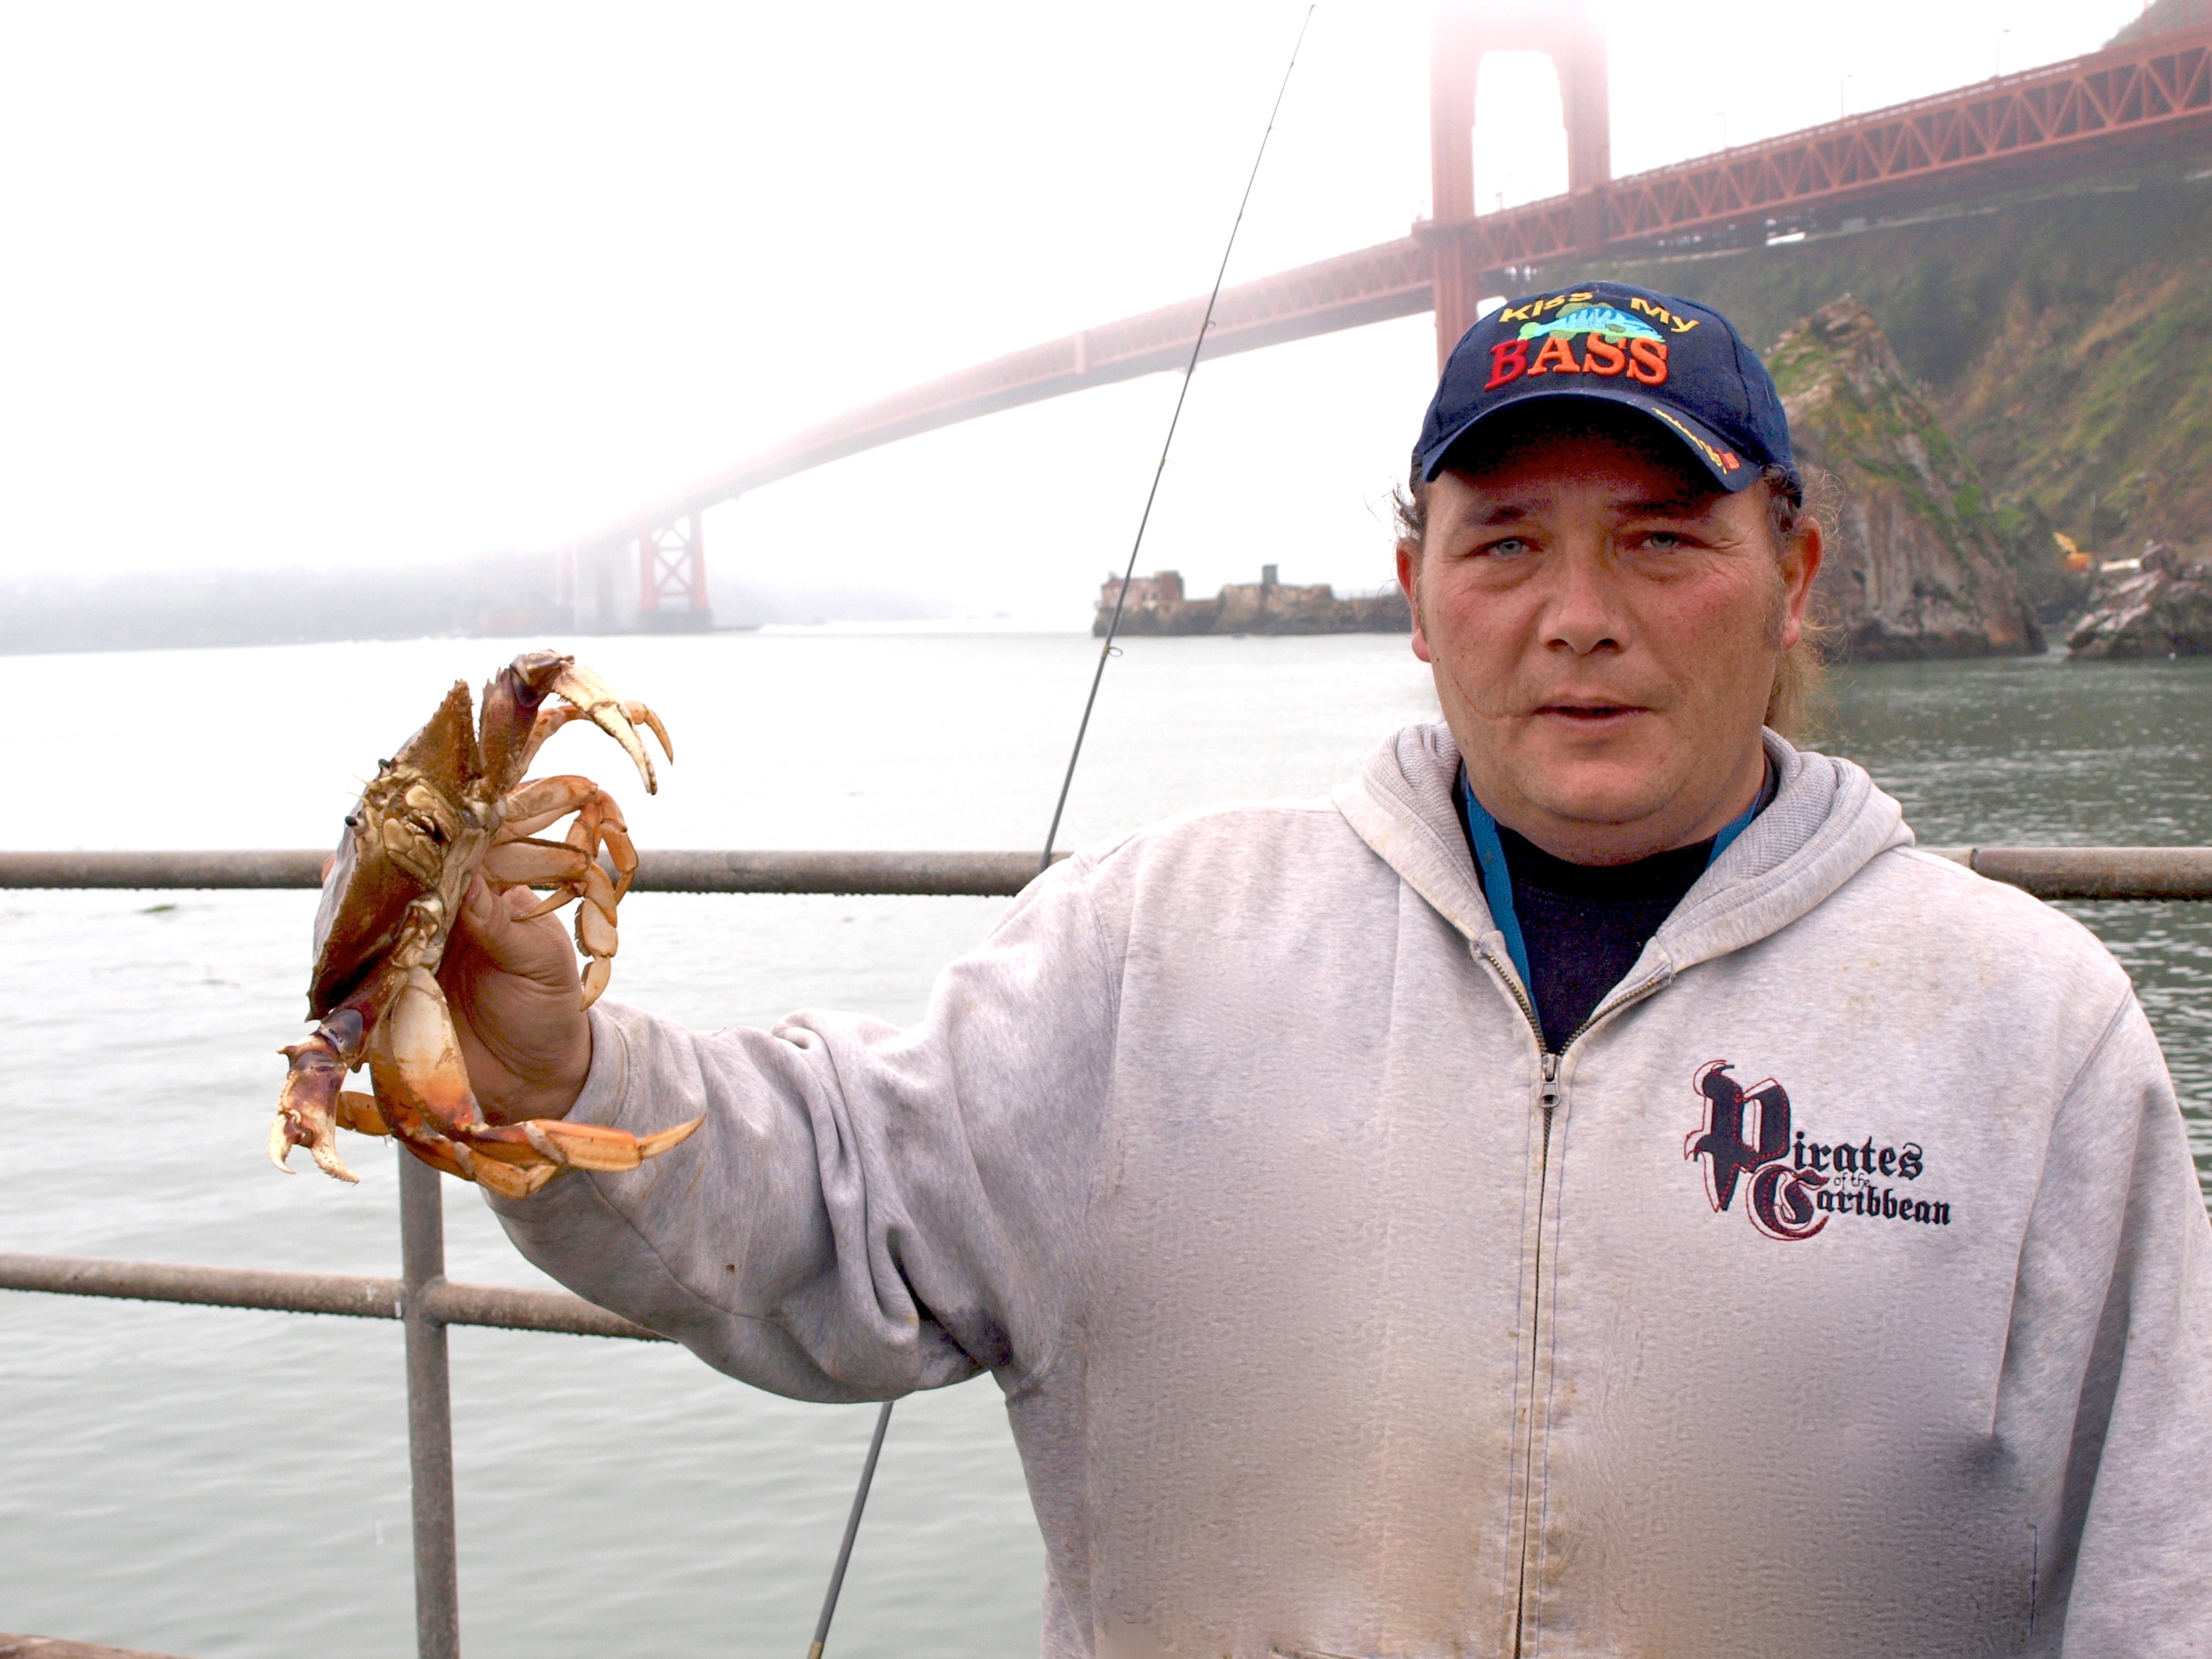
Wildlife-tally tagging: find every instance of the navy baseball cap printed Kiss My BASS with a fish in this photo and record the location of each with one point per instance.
(1678, 362)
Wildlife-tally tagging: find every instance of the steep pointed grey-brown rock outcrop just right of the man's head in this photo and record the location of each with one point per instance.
(1917, 565)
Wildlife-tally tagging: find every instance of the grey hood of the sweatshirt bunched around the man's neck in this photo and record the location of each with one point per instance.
(1824, 826)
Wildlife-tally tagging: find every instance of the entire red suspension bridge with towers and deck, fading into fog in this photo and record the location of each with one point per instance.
(2138, 103)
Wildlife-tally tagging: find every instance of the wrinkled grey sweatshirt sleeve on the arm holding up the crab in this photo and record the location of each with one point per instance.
(866, 1211)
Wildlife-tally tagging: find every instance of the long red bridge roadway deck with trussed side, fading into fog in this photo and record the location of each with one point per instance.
(2133, 105)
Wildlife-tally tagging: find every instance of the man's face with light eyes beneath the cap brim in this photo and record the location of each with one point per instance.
(1605, 625)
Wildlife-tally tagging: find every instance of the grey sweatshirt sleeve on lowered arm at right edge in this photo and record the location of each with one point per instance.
(2120, 1273)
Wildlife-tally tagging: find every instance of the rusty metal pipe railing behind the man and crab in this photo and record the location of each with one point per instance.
(426, 1302)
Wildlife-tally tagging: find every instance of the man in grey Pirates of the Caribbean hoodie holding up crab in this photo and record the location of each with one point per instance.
(1589, 1189)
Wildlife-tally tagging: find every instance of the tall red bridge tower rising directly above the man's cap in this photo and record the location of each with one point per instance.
(1465, 32)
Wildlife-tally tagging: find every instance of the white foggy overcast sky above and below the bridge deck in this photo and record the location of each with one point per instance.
(401, 282)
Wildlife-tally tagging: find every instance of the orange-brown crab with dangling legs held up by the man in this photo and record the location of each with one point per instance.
(450, 806)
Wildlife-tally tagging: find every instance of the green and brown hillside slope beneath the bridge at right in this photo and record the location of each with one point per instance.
(2067, 344)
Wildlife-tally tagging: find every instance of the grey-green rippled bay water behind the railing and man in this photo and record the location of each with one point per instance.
(233, 1485)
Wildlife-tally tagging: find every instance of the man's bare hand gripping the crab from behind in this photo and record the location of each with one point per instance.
(517, 1005)
